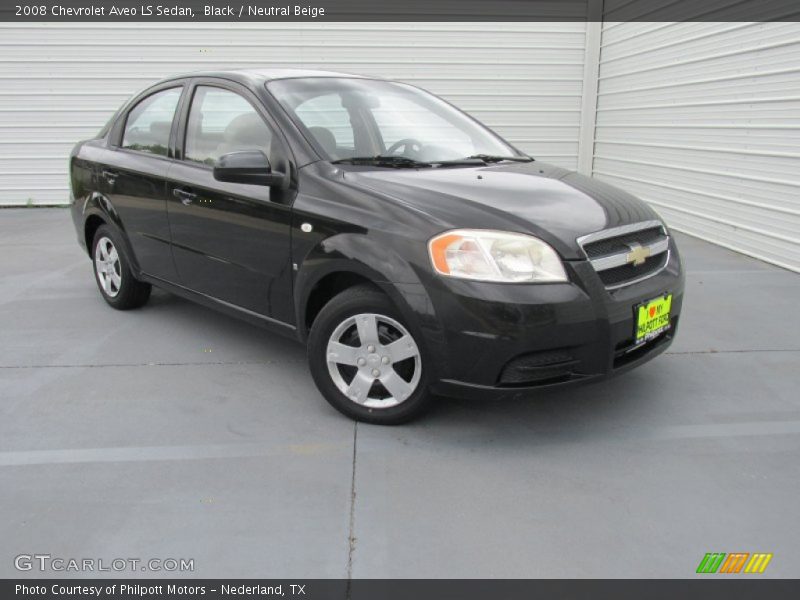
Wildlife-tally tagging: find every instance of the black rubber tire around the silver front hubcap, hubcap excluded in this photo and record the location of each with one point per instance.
(347, 304)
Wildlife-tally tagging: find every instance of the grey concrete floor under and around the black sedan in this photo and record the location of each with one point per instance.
(174, 431)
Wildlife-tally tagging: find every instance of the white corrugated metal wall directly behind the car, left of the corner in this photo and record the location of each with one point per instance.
(60, 82)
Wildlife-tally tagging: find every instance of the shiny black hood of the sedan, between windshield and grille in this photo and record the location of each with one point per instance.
(555, 204)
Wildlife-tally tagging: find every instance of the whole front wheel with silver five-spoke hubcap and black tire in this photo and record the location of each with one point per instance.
(368, 381)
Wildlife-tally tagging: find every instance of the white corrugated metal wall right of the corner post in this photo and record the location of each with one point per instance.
(703, 121)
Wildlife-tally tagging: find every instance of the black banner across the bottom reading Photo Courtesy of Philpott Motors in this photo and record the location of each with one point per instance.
(722, 587)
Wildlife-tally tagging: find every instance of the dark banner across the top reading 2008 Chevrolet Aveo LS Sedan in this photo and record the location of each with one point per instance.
(31, 11)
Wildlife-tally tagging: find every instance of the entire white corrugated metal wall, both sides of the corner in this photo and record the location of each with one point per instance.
(700, 119)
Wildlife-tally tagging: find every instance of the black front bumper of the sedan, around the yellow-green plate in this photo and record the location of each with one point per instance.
(497, 340)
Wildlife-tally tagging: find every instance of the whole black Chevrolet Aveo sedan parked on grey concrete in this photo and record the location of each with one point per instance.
(414, 250)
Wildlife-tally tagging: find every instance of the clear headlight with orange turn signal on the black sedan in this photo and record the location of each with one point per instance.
(495, 256)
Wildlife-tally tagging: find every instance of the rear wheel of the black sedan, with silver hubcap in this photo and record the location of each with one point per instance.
(112, 272)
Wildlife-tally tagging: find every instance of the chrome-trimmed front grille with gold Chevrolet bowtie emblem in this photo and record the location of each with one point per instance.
(614, 252)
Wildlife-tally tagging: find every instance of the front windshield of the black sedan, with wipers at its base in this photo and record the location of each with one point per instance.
(388, 124)
